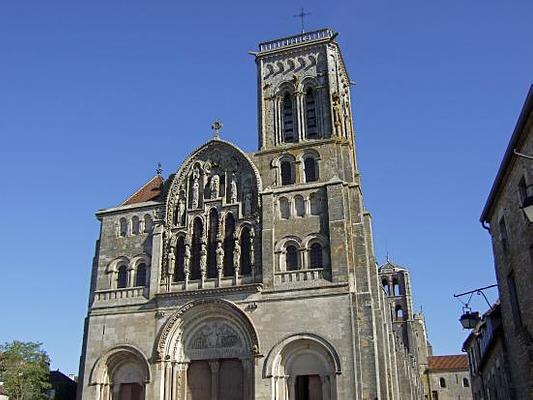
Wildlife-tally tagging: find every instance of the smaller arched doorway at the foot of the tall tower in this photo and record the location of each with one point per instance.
(303, 367)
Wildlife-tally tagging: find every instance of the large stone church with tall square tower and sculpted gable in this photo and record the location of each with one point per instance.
(252, 275)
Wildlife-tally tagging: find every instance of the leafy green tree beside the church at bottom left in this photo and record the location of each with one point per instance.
(25, 370)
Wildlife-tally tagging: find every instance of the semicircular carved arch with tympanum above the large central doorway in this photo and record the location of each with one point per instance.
(204, 327)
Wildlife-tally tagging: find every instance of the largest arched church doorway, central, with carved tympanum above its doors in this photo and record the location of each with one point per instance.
(208, 349)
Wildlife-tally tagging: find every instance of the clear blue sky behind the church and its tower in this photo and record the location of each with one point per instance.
(94, 94)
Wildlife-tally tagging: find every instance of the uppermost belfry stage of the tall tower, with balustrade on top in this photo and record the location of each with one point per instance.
(303, 90)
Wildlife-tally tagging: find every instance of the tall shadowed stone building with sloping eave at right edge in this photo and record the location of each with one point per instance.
(511, 231)
